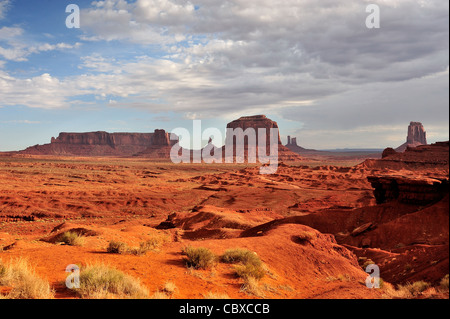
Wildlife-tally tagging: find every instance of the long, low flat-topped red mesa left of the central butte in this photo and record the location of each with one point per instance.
(103, 144)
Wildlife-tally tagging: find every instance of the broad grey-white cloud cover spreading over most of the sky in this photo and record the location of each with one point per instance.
(311, 61)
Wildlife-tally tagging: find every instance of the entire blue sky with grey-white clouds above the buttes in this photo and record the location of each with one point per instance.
(312, 66)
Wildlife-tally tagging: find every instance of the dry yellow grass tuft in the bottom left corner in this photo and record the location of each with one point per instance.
(25, 283)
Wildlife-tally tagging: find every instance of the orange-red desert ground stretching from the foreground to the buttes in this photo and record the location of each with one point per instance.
(221, 206)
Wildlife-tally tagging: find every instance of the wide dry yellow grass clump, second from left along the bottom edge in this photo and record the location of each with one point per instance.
(99, 281)
